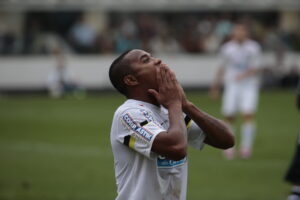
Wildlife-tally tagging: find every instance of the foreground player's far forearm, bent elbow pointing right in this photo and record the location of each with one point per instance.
(217, 133)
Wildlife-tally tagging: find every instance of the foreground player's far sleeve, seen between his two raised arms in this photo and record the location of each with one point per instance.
(196, 136)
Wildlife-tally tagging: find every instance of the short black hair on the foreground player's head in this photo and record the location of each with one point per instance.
(119, 68)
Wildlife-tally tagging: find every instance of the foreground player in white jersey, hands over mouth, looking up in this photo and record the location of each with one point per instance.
(152, 128)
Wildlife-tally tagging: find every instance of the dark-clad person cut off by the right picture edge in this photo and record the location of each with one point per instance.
(293, 174)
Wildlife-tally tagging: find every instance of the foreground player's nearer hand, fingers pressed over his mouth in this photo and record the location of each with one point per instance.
(168, 93)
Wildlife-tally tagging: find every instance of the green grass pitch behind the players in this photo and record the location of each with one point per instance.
(60, 150)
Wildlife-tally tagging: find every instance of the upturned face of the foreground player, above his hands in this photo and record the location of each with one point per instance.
(144, 68)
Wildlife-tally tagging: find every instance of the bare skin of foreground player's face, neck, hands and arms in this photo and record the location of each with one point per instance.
(154, 82)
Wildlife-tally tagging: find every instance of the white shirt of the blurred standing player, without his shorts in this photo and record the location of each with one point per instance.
(237, 58)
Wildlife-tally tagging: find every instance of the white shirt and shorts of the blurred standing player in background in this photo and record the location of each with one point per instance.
(240, 95)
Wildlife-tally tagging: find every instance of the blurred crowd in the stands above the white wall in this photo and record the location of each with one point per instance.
(161, 32)
